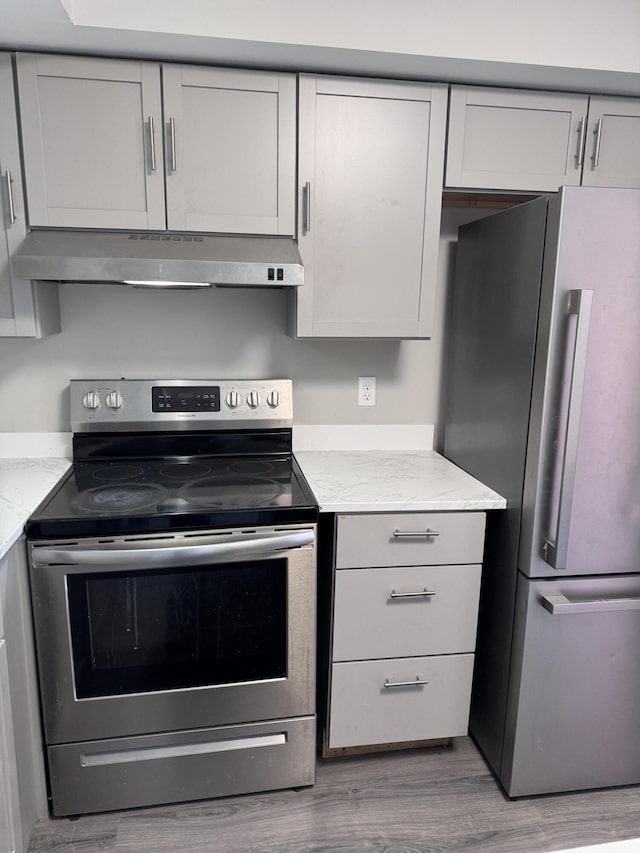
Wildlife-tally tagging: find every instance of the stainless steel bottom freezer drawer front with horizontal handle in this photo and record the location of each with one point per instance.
(574, 691)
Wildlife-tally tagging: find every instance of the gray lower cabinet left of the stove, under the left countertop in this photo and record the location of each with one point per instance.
(23, 799)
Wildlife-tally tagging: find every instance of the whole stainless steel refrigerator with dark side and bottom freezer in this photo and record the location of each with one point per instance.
(542, 390)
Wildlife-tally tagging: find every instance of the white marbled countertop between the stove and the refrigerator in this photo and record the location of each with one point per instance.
(392, 481)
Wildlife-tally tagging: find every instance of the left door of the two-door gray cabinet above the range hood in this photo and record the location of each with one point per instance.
(92, 142)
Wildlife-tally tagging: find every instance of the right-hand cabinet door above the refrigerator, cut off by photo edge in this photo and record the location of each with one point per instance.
(612, 156)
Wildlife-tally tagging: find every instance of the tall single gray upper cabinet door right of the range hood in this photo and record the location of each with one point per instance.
(369, 181)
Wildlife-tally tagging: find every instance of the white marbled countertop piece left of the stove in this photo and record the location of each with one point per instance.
(24, 483)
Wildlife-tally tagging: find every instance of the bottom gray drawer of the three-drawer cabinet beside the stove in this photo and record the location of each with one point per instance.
(364, 711)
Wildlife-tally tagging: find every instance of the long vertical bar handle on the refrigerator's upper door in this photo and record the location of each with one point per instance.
(555, 551)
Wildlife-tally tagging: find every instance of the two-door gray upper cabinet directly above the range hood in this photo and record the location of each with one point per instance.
(102, 137)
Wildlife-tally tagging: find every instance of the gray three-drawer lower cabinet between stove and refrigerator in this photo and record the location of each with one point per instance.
(405, 608)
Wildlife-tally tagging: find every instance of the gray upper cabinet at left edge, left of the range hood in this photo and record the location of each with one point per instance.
(27, 309)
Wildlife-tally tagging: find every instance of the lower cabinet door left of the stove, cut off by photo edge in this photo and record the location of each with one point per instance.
(8, 781)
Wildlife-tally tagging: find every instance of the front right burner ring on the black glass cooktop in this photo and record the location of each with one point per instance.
(231, 492)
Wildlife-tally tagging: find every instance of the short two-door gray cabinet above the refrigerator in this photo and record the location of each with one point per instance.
(538, 141)
